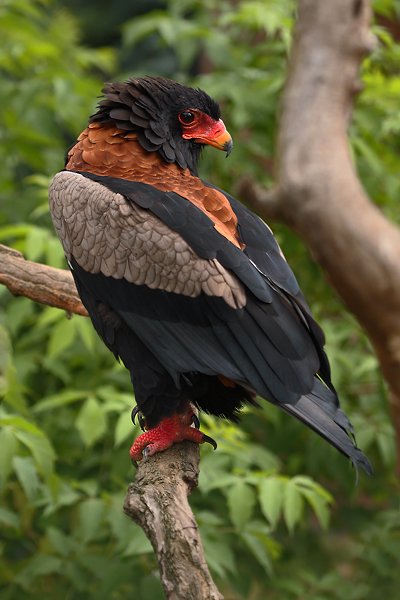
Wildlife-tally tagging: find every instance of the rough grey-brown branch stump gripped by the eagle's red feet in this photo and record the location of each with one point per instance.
(157, 501)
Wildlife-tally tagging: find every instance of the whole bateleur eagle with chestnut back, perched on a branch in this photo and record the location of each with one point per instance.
(182, 282)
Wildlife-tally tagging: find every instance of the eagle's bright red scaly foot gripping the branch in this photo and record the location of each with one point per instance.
(169, 431)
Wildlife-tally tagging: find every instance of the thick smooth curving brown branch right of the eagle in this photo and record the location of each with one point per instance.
(318, 192)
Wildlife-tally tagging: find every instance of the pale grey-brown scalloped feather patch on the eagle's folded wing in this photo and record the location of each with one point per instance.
(108, 234)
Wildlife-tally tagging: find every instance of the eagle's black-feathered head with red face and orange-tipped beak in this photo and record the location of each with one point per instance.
(167, 117)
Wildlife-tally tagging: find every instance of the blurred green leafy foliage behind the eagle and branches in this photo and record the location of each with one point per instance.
(279, 511)
